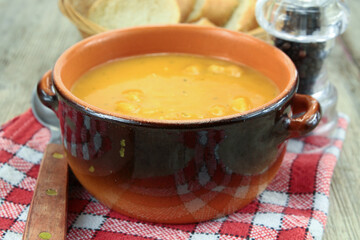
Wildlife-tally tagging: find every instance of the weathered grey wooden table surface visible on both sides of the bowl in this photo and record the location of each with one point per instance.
(33, 34)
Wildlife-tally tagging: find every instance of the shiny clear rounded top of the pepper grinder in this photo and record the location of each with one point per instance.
(303, 20)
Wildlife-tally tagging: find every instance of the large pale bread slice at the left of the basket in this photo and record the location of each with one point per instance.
(113, 14)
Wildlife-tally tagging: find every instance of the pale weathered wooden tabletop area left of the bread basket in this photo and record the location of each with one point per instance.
(33, 35)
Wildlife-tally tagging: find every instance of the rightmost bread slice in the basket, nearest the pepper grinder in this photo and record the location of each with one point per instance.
(243, 19)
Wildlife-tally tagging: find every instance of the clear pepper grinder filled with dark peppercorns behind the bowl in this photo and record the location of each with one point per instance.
(305, 30)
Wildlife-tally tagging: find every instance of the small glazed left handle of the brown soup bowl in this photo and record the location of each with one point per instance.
(46, 92)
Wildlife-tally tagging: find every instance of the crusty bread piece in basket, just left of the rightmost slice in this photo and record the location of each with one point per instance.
(217, 11)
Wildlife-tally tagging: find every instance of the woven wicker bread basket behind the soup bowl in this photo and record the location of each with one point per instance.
(76, 11)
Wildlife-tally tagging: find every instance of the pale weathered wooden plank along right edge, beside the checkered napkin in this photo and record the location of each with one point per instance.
(343, 221)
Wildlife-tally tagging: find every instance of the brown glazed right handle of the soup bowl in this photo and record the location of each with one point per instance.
(306, 115)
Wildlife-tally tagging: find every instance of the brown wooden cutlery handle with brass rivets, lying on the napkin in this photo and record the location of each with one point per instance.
(48, 210)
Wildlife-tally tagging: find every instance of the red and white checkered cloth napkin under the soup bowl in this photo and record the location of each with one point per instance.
(294, 206)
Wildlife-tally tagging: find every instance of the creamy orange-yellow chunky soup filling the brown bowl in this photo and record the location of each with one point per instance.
(174, 87)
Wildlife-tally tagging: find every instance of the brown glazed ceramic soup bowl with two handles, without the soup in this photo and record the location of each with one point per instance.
(176, 171)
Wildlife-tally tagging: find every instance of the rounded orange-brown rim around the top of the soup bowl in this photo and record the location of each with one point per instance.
(283, 97)
